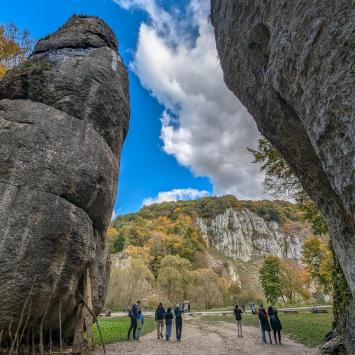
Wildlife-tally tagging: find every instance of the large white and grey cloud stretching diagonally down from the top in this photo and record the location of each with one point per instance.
(204, 126)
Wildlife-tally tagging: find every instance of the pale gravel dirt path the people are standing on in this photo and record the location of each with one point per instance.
(201, 338)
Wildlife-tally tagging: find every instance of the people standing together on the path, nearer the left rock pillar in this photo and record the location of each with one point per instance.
(161, 316)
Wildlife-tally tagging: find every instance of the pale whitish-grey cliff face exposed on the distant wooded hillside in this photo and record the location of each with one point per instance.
(242, 234)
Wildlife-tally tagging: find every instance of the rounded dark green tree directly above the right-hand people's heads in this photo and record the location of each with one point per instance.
(271, 278)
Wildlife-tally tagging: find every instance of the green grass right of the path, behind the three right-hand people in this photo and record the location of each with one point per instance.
(306, 328)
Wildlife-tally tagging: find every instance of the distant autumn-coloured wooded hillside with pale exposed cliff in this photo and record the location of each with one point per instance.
(208, 251)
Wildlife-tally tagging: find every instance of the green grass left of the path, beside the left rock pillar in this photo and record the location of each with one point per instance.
(115, 329)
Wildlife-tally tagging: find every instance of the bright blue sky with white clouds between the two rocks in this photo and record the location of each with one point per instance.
(181, 121)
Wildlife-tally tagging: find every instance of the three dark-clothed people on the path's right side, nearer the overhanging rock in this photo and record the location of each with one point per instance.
(268, 320)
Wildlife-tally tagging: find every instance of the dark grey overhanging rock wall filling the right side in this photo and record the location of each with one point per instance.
(292, 64)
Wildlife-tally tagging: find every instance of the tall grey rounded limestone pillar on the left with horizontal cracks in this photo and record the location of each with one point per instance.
(64, 115)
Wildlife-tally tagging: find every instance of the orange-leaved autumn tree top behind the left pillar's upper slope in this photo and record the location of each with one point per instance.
(15, 46)
